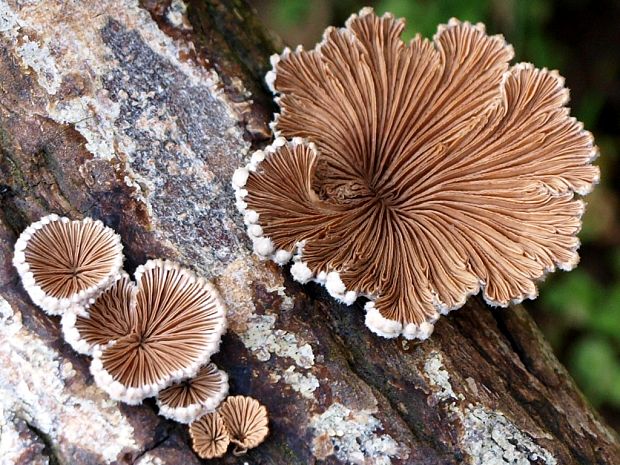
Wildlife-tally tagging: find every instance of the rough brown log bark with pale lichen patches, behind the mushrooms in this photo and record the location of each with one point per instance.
(138, 114)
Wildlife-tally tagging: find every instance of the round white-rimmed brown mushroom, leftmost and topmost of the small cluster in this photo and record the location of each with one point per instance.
(63, 263)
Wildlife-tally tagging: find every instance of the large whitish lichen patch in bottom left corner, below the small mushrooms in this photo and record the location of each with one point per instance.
(33, 389)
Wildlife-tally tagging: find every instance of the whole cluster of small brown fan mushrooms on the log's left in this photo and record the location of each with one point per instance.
(150, 337)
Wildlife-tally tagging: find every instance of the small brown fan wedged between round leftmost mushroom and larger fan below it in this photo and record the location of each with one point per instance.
(110, 317)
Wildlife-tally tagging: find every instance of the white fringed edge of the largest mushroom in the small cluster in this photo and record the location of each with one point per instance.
(135, 395)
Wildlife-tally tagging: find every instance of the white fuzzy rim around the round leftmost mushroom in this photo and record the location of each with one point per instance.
(76, 302)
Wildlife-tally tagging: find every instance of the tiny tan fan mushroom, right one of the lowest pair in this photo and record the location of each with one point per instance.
(246, 420)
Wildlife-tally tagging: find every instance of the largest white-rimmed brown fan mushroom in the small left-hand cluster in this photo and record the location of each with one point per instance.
(179, 321)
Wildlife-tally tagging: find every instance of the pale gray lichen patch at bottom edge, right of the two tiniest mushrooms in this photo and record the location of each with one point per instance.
(351, 435)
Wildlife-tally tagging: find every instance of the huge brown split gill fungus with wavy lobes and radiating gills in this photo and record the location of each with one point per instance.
(417, 174)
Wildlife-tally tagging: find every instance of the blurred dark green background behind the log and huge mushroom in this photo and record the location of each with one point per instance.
(579, 311)
